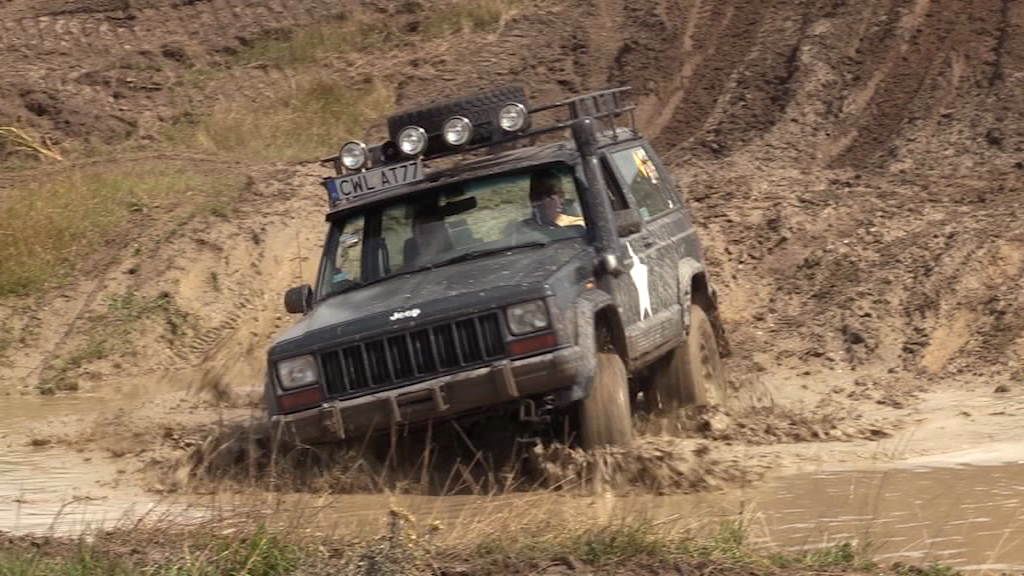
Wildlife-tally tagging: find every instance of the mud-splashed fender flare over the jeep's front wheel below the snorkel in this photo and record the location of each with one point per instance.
(588, 306)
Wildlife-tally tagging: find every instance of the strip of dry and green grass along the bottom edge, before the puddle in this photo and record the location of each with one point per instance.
(518, 539)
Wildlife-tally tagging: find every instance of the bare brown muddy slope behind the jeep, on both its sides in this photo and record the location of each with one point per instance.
(858, 168)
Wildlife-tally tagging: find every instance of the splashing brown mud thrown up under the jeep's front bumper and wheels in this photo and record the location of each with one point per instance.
(680, 454)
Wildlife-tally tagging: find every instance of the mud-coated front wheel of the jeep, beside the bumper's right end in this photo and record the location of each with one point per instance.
(606, 419)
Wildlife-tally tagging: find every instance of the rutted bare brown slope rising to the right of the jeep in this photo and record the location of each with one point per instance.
(859, 168)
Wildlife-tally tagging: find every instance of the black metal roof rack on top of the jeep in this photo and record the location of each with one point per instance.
(603, 106)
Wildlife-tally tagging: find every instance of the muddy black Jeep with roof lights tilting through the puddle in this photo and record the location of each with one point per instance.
(526, 271)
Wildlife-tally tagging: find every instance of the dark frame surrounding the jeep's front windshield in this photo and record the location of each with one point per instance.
(373, 212)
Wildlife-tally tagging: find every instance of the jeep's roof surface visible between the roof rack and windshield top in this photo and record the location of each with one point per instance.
(562, 151)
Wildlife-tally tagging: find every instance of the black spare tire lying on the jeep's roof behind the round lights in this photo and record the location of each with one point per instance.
(480, 108)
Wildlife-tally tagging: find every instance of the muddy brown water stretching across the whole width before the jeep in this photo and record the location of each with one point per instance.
(965, 509)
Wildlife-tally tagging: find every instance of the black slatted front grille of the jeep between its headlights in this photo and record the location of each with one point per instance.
(415, 355)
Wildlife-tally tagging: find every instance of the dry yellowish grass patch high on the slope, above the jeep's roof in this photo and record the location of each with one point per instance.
(314, 97)
